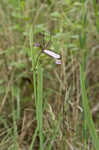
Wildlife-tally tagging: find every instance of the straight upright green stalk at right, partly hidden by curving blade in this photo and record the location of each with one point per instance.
(83, 48)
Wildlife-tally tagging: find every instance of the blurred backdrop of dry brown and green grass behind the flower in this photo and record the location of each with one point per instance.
(61, 86)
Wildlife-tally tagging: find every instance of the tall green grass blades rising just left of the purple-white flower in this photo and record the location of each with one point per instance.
(38, 92)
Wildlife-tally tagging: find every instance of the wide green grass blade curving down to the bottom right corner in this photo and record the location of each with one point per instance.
(88, 116)
